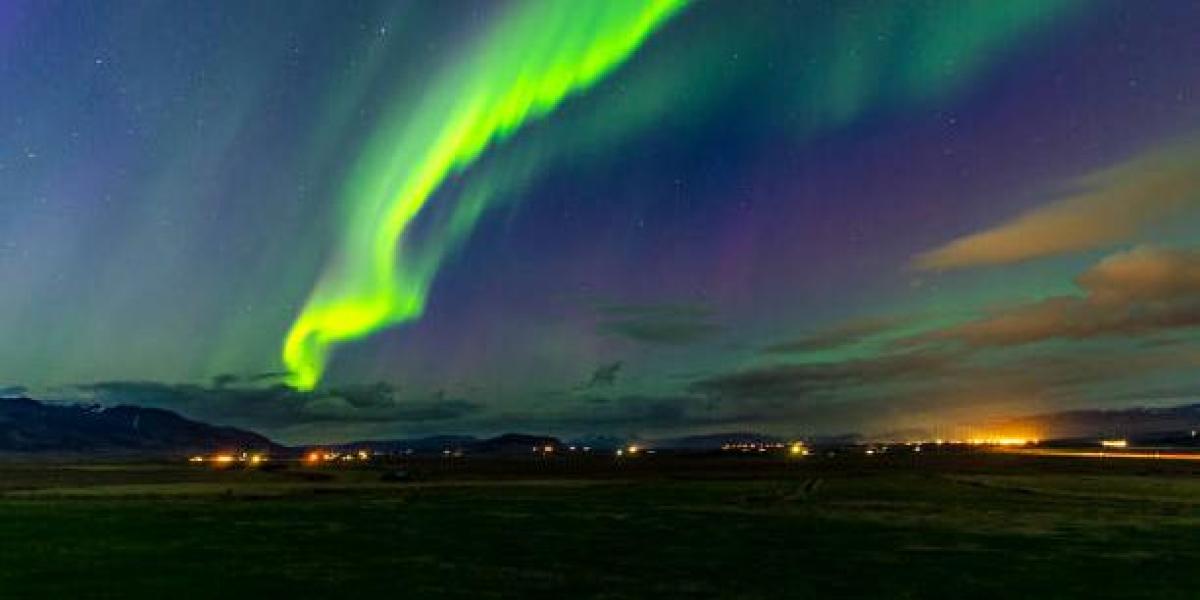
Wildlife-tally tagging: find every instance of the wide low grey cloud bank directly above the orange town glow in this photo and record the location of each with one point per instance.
(935, 388)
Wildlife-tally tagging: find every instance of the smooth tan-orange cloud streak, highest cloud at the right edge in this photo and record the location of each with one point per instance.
(1107, 208)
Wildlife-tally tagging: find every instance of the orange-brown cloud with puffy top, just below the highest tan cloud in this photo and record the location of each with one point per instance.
(1144, 291)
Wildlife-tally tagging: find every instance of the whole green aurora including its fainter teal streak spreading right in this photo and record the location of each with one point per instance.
(542, 52)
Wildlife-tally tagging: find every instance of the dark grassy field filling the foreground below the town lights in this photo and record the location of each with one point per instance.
(945, 527)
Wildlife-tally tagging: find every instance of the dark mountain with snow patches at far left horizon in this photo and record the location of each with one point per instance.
(31, 427)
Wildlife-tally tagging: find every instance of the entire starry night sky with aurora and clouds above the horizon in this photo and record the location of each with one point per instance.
(332, 221)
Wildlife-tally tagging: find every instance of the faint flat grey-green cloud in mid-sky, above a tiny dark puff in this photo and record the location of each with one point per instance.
(658, 325)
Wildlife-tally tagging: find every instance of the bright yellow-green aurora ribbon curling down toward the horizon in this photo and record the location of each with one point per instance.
(537, 56)
